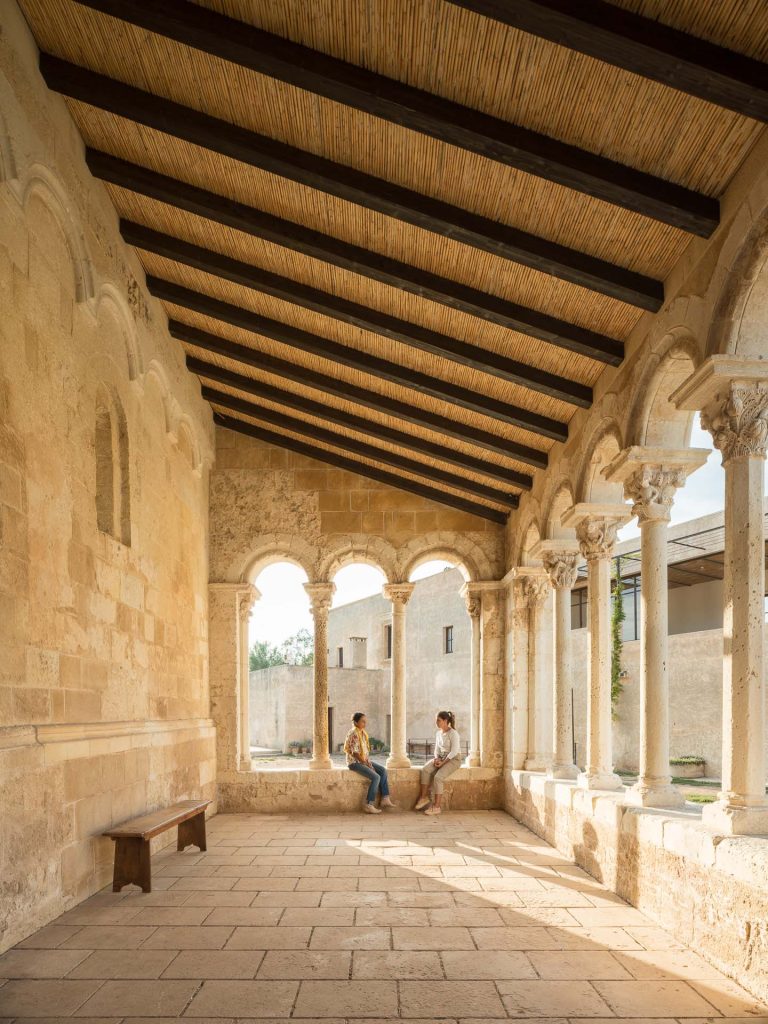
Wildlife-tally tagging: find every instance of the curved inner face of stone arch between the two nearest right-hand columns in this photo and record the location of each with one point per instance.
(654, 420)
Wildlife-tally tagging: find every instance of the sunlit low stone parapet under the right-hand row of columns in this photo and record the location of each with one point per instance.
(711, 891)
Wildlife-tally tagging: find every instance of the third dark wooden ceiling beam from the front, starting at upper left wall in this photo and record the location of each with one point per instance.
(350, 185)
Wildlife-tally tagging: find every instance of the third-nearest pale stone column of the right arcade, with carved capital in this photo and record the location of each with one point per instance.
(596, 527)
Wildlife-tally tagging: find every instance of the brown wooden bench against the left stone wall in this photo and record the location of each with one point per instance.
(133, 840)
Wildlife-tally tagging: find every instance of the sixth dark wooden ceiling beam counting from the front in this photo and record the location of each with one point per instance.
(355, 359)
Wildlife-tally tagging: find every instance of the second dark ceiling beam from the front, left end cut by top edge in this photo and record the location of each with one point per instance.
(422, 112)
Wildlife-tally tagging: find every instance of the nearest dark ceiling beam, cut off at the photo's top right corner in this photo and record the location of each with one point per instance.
(642, 46)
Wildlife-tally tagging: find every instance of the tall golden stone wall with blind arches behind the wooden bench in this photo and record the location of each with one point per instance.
(104, 522)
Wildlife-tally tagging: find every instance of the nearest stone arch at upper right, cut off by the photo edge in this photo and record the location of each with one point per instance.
(739, 323)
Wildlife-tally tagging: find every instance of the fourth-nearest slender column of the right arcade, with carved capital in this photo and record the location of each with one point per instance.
(562, 567)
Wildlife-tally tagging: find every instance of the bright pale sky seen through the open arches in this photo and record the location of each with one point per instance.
(284, 608)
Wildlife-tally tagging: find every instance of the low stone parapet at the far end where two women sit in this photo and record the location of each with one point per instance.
(300, 790)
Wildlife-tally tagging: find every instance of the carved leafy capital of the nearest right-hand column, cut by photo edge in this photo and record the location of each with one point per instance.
(739, 423)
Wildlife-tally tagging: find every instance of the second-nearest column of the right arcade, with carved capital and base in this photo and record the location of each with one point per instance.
(651, 478)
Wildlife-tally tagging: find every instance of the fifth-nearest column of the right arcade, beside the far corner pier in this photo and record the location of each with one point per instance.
(536, 590)
